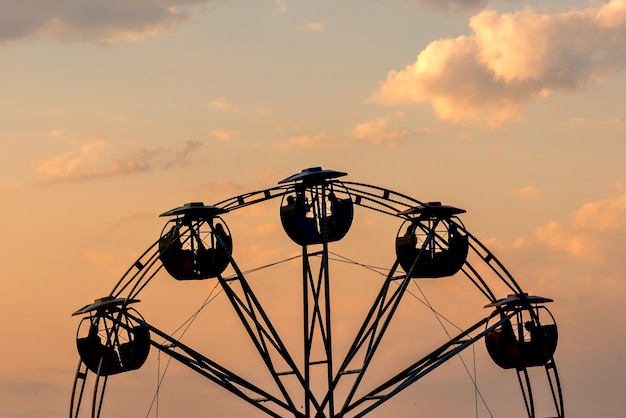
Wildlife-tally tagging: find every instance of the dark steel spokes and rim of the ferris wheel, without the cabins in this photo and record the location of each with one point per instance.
(317, 326)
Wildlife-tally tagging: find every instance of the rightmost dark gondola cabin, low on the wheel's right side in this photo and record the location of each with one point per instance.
(526, 335)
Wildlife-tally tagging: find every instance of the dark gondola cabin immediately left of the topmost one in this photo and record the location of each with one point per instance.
(196, 244)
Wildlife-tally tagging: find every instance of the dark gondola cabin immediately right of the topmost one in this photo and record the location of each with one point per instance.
(429, 244)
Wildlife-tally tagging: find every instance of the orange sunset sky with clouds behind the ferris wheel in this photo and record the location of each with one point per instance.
(116, 111)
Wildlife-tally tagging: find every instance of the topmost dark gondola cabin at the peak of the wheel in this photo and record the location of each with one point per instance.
(317, 210)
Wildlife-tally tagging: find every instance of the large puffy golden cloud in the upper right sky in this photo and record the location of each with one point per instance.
(508, 61)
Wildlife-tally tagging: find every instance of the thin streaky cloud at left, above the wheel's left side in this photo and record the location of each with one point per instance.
(89, 162)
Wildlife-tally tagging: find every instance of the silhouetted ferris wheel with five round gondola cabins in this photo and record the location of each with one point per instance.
(318, 378)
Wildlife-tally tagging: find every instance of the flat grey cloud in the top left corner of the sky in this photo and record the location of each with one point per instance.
(97, 21)
